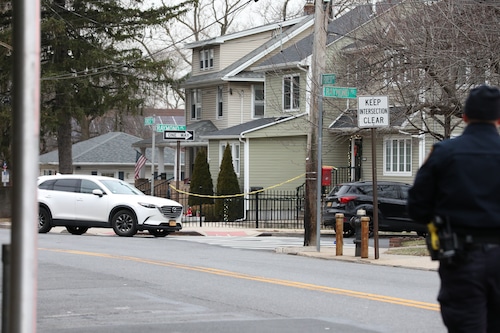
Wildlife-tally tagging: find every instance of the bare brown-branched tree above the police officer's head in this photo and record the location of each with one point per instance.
(426, 56)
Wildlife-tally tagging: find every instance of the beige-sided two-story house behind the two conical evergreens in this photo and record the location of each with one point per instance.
(224, 94)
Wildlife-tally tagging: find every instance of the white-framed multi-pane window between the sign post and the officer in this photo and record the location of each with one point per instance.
(397, 159)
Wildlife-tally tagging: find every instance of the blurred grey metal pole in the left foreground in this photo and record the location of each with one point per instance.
(23, 259)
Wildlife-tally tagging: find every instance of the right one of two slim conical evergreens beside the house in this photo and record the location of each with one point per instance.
(228, 209)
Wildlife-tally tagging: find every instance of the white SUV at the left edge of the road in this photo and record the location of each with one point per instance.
(80, 202)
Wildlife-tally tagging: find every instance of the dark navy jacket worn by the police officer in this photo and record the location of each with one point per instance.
(461, 180)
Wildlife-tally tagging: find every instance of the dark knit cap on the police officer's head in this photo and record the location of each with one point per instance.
(483, 103)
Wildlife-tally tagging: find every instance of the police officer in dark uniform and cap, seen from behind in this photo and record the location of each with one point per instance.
(460, 182)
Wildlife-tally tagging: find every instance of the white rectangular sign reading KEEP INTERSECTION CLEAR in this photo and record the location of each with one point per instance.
(373, 111)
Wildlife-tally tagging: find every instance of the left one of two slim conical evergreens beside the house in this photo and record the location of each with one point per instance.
(201, 181)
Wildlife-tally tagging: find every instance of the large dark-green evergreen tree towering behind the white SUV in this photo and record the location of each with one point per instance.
(92, 62)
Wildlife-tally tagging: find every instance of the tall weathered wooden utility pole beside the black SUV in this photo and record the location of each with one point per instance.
(313, 177)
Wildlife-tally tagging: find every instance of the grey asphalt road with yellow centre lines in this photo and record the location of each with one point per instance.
(94, 283)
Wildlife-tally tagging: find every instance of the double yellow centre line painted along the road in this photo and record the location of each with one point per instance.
(287, 283)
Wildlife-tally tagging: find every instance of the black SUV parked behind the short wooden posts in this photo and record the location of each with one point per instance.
(347, 198)
